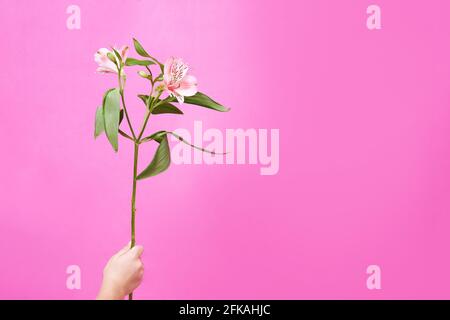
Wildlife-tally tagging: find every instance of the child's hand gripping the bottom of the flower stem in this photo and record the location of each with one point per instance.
(122, 274)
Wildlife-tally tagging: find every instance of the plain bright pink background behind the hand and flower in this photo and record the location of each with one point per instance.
(364, 174)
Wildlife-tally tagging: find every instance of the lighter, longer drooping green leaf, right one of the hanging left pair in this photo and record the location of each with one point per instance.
(111, 116)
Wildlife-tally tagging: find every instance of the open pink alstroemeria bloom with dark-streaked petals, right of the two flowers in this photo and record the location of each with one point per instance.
(176, 80)
